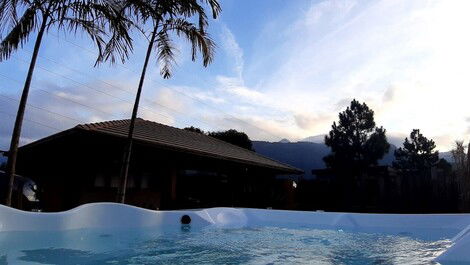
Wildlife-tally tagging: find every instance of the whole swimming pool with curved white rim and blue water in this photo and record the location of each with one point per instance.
(107, 233)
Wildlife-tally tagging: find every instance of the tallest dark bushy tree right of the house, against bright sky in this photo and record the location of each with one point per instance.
(356, 142)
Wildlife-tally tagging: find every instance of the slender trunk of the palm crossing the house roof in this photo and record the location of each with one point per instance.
(127, 153)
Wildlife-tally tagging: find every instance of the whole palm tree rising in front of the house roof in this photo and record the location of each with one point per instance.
(167, 17)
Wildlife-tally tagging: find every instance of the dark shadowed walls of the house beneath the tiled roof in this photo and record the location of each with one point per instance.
(83, 167)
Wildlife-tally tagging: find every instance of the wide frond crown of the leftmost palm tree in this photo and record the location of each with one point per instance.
(102, 21)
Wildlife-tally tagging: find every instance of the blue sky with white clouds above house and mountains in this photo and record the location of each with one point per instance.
(282, 69)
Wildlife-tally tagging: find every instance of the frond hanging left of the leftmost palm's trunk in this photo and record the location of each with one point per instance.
(19, 34)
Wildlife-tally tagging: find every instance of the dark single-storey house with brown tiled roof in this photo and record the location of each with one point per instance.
(170, 168)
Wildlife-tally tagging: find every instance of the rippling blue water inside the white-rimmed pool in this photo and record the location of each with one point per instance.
(211, 245)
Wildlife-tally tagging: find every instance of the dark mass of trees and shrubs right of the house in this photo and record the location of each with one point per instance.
(417, 182)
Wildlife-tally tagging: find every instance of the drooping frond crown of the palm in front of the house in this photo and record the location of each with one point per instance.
(187, 19)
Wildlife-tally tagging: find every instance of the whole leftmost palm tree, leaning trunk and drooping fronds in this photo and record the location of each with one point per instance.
(21, 18)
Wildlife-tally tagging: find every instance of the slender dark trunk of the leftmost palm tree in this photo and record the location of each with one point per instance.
(15, 138)
